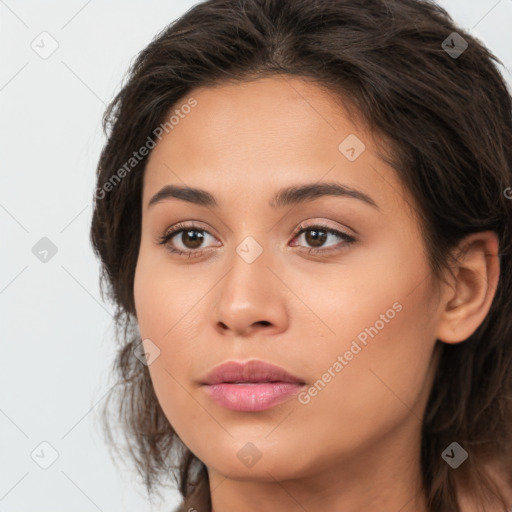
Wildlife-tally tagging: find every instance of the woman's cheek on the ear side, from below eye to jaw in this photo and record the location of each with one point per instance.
(376, 368)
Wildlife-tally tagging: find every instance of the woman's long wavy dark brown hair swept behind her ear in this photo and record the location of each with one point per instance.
(448, 120)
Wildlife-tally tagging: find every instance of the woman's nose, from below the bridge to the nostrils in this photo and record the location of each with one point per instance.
(250, 299)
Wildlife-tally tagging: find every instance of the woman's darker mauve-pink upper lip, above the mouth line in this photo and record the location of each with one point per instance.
(249, 371)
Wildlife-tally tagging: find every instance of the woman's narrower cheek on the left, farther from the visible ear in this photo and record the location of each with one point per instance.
(168, 313)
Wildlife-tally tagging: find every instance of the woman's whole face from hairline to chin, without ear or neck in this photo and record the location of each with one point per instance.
(352, 315)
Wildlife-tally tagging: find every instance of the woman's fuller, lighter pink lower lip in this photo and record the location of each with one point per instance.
(252, 397)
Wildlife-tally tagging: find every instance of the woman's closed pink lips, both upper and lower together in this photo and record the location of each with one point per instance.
(250, 386)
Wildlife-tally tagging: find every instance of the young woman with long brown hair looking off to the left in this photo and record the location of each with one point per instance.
(304, 220)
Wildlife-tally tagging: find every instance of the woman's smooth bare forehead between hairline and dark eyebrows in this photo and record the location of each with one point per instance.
(257, 136)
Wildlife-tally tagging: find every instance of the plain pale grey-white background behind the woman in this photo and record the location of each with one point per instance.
(57, 345)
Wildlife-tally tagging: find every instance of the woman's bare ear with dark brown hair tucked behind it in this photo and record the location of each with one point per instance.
(469, 295)
